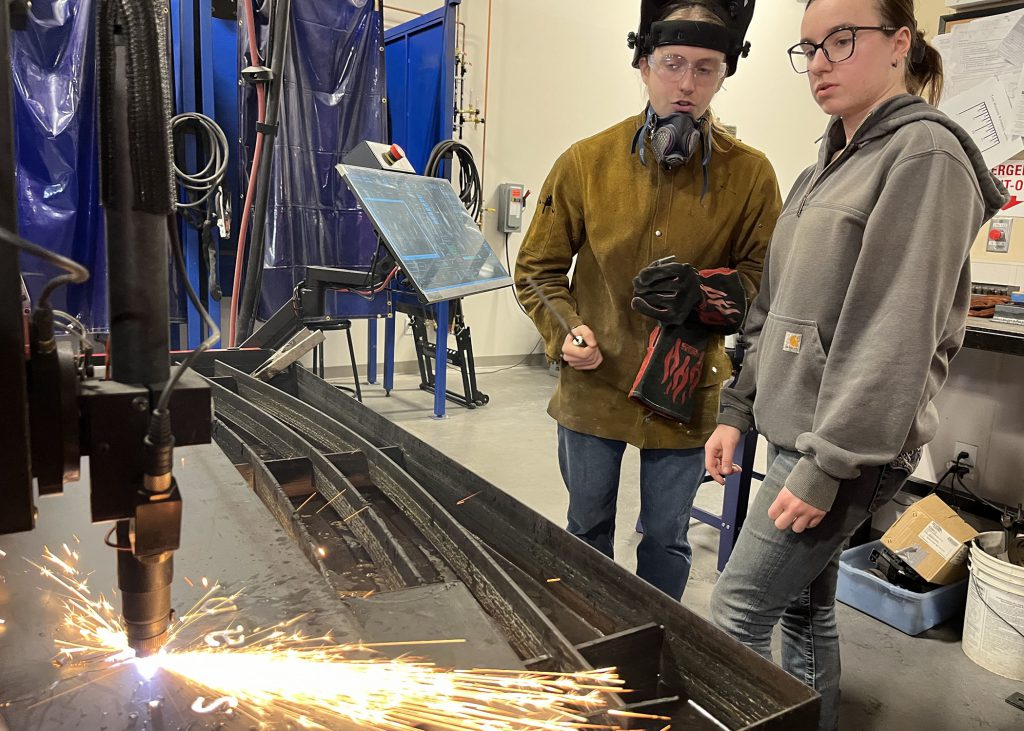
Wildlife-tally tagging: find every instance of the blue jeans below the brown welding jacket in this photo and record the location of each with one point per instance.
(669, 482)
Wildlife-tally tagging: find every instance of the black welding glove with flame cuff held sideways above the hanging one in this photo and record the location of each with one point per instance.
(674, 293)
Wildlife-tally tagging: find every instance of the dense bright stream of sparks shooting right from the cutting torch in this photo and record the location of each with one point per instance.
(329, 684)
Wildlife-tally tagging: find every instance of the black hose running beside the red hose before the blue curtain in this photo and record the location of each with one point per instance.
(280, 21)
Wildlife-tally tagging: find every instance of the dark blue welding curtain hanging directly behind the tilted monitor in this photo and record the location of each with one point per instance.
(333, 99)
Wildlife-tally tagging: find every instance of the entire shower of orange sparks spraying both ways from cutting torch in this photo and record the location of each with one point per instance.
(278, 673)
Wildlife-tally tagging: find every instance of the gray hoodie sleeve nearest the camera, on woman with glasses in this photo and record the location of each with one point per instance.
(907, 294)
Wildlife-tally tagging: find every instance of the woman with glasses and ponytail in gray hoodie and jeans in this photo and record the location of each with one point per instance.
(864, 304)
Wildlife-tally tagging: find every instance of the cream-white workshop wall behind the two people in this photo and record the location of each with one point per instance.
(561, 71)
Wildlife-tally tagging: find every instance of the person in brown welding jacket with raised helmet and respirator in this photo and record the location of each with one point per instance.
(615, 203)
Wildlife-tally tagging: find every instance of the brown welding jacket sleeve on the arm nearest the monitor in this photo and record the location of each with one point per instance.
(556, 236)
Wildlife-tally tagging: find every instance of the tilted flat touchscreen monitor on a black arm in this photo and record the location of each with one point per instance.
(430, 233)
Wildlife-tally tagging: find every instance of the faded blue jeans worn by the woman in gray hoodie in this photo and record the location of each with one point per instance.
(779, 577)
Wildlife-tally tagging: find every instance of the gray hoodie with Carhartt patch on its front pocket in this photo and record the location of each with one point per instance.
(865, 296)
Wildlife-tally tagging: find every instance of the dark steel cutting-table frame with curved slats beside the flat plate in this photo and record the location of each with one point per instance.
(558, 593)
